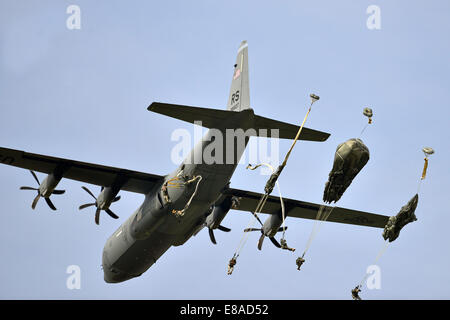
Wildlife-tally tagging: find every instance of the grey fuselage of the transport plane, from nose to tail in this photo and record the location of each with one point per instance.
(153, 228)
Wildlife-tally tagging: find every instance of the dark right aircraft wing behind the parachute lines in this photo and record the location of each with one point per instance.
(306, 210)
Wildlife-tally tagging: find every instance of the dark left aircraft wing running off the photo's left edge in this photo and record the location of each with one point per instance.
(133, 181)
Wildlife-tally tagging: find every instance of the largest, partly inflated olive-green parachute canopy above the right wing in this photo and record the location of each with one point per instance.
(350, 157)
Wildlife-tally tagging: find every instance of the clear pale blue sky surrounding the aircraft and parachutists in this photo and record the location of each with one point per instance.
(82, 94)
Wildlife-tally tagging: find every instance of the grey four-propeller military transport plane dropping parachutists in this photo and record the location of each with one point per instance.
(196, 195)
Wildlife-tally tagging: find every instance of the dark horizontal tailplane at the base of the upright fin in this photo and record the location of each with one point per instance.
(213, 118)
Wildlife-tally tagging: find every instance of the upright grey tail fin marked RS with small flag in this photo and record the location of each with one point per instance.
(239, 98)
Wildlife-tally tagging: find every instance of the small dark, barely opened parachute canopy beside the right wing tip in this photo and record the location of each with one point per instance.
(405, 216)
